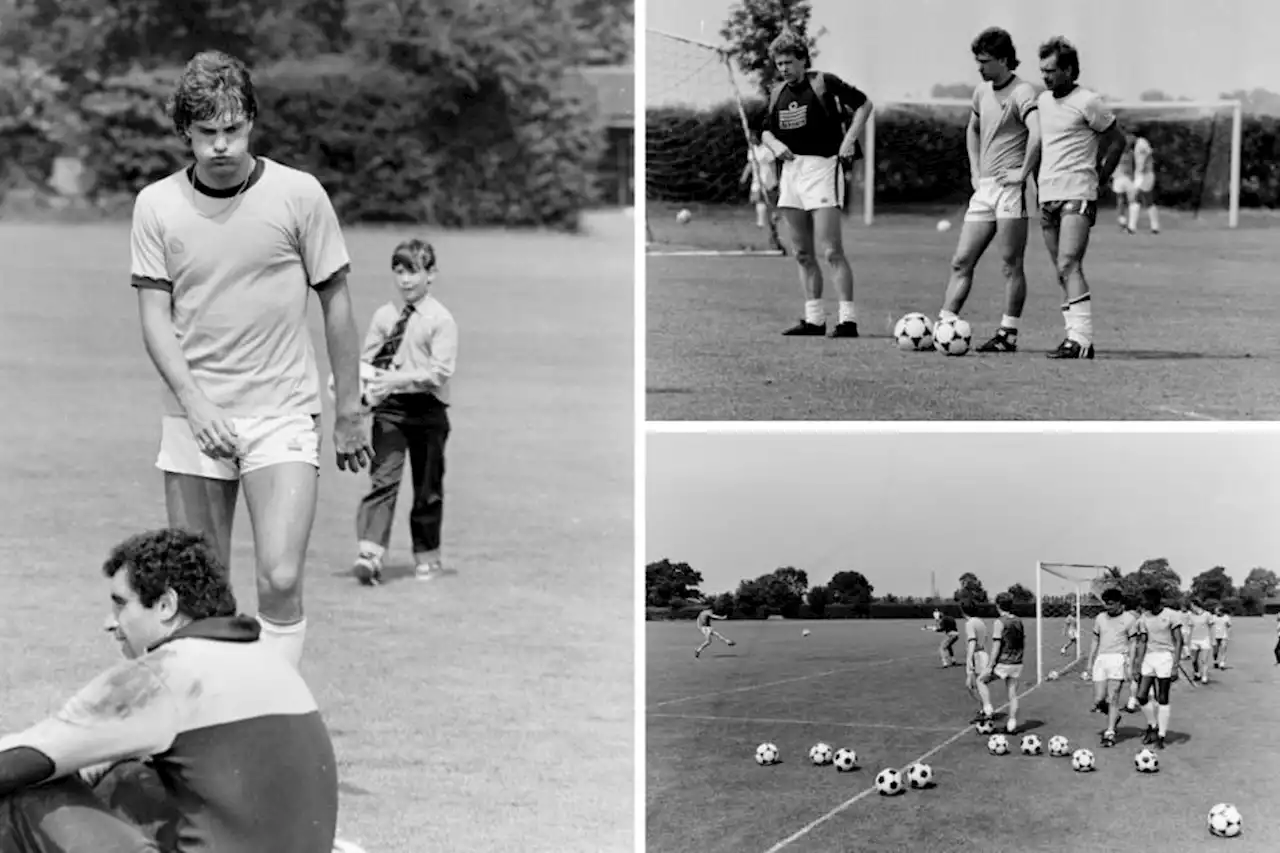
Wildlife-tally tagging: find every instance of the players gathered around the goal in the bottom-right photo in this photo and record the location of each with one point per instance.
(1136, 642)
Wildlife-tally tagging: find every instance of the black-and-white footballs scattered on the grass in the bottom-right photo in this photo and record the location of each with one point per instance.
(1224, 820)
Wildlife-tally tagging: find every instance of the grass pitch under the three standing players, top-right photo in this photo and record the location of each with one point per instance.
(1183, 322)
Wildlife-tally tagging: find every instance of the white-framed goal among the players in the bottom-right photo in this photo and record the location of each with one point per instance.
(1064, 591)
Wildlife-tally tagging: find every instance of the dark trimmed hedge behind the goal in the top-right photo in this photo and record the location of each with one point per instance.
(921, 156)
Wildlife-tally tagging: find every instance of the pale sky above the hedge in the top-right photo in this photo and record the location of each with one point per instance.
(902, 48)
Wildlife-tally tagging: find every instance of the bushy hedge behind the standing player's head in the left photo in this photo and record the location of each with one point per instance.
(388, 145)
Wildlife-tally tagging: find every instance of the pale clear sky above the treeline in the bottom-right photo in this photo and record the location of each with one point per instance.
(895, 507)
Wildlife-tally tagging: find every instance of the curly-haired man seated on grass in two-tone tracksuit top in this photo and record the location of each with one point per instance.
(204, 740)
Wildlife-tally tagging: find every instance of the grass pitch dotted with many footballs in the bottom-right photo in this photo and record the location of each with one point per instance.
(877, 687)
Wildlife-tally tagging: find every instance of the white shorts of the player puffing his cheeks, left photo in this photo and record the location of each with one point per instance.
(263, 443)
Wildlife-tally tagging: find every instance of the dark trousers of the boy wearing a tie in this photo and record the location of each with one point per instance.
(414, 426)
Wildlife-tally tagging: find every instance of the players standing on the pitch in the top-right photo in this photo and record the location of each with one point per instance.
(1066, 139)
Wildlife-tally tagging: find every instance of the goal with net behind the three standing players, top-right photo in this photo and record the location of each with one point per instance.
(917, 159)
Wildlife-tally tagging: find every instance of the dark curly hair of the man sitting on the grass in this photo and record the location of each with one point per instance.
(179, 560)
